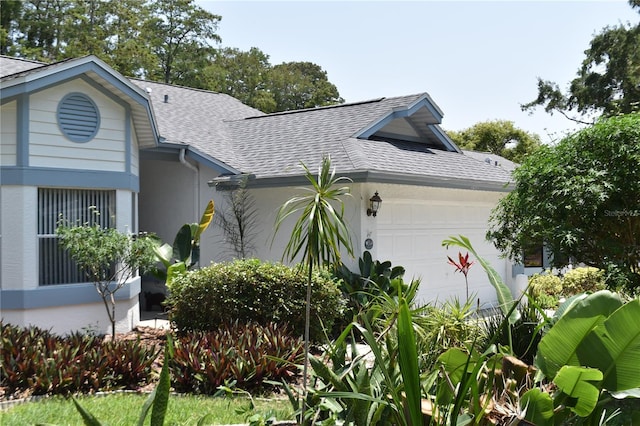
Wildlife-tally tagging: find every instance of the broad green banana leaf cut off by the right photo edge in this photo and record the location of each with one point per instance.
(614, 348)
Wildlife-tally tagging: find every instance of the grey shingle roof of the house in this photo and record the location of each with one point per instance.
(273, 145)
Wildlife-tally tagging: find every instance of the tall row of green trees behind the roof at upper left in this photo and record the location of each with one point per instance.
(173, 41)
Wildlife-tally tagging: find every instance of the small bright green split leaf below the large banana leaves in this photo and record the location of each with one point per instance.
(578, 383)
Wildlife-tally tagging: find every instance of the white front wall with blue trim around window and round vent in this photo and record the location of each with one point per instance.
(36, 154)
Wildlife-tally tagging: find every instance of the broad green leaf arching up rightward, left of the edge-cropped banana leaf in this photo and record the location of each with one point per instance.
(559, 346)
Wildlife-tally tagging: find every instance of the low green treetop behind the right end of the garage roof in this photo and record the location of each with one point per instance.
(498, 137)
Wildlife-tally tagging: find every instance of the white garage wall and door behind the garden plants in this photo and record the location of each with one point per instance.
(408, 231)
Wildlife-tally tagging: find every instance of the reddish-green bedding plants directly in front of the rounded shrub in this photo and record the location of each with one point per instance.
(247, 355)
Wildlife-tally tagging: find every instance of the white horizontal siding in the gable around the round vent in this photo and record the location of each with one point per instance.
(48, 147)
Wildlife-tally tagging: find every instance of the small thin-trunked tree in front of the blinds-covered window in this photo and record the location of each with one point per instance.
(108, 257)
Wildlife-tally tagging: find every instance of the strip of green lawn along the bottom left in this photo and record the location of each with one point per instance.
(124, 409)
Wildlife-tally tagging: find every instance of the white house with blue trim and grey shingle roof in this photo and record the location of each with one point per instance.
(150, 156)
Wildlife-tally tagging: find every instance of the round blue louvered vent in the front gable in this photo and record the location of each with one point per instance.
(78, 117)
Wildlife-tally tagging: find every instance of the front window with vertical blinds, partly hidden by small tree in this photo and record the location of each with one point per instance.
(55, 267)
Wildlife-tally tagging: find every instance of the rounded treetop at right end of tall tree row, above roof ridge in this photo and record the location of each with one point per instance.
(299, 85)
